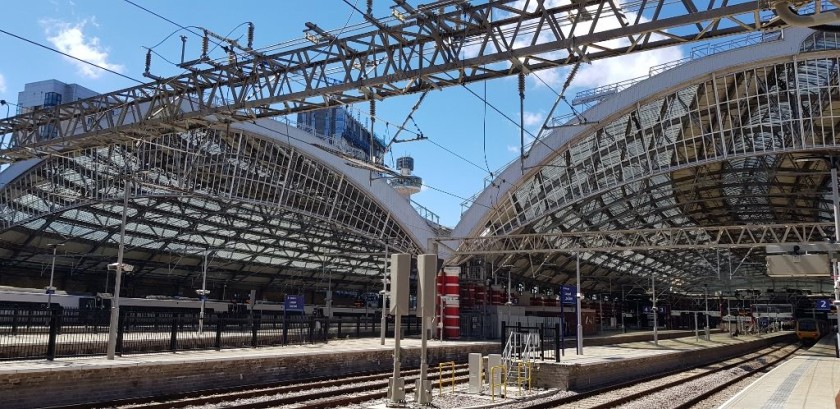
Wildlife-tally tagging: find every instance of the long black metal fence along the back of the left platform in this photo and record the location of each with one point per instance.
(32, 332)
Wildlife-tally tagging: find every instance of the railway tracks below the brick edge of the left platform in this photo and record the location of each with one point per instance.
(318, 393)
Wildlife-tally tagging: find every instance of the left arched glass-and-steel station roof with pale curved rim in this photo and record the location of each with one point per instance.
(276, 208)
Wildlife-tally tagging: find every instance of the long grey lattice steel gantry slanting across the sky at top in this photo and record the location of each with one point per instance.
(445, 44)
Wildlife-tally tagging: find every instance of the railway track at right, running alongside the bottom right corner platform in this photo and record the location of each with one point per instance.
(676, 390)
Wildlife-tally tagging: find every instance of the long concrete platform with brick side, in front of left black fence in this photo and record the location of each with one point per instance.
(88, 380)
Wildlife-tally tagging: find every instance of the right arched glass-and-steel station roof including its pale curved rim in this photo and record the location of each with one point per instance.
(713, 142)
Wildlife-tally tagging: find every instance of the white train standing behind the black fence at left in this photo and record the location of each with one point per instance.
(14, 296)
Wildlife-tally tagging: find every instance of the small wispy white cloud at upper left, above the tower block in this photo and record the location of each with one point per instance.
(71, 40)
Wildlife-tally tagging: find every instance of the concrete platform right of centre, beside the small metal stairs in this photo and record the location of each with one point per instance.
(608, 365)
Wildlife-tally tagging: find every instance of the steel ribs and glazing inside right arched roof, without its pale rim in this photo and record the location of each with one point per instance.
(721, 152)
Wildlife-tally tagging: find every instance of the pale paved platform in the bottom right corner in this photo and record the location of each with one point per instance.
(811, 380)
